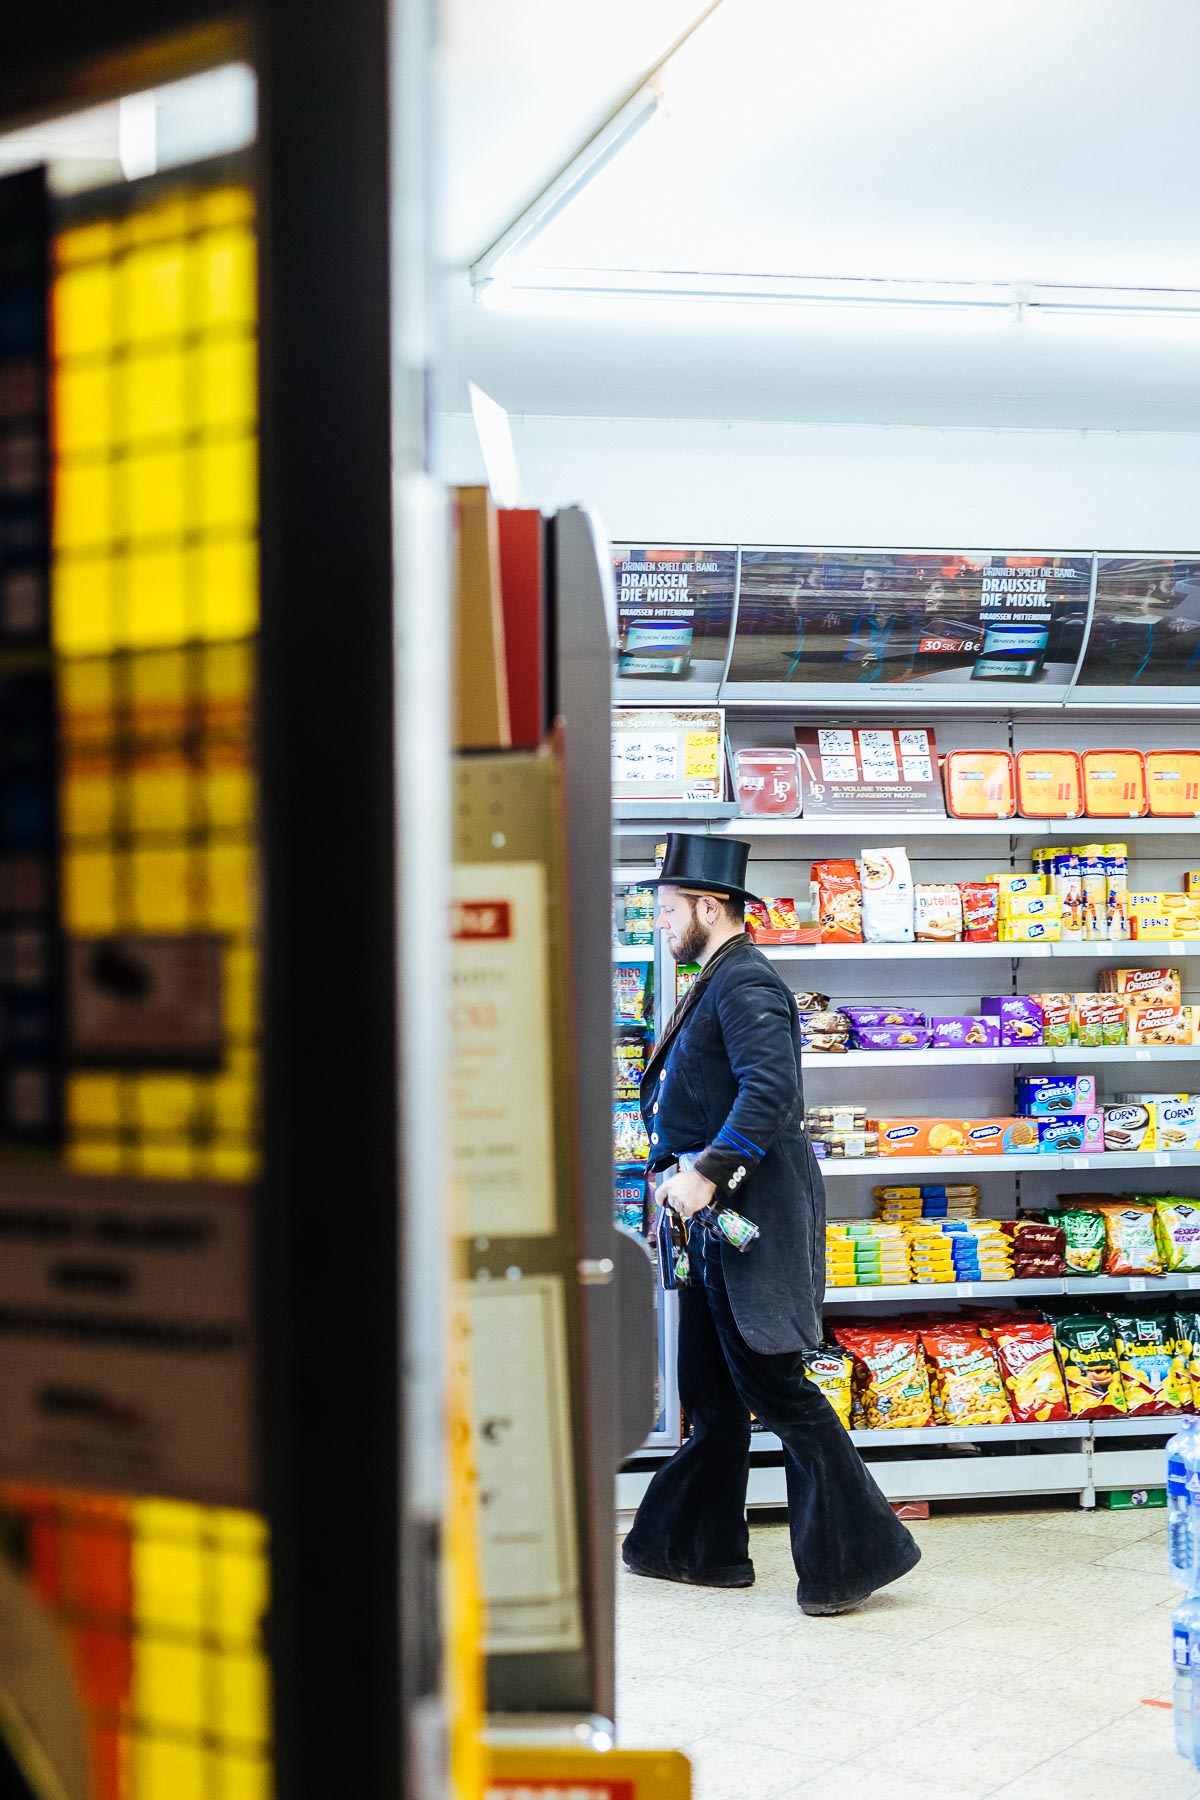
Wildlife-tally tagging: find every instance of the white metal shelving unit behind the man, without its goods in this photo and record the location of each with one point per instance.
(1053, 1459)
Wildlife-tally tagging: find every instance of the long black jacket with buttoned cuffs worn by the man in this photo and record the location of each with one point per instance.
(726, 1083)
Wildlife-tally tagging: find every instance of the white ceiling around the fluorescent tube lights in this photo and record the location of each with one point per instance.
(1046, 141)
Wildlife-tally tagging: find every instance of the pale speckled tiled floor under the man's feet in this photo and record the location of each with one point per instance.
(1016, 1660)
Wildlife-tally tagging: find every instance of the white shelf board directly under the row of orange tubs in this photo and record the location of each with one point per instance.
(724, 822)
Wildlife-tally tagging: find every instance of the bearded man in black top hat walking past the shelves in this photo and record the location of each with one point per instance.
(724, 1110)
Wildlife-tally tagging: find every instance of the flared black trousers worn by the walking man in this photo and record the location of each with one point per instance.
(692, 1525)
